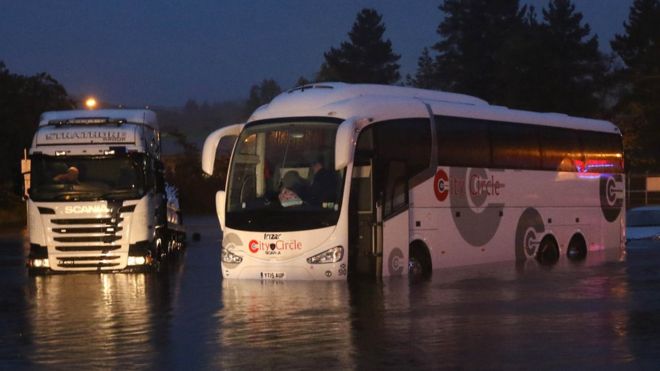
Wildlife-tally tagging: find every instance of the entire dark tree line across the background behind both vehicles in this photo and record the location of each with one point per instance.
(508, 54)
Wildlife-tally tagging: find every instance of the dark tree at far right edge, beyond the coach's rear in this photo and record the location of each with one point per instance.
(639, 112)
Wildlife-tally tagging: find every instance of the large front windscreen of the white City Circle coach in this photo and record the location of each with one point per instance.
(283, 177)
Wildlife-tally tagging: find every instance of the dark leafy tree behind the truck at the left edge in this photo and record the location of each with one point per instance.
(22, 100)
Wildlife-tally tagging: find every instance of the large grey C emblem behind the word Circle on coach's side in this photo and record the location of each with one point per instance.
(468, 191)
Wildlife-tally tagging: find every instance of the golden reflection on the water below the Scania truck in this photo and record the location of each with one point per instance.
(106, 319)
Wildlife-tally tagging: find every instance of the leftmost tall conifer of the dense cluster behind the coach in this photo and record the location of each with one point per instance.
(473, 33)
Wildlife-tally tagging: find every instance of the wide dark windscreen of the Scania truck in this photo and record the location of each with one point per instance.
(87, 178)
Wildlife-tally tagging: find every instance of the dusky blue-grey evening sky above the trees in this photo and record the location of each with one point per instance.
(162, 53)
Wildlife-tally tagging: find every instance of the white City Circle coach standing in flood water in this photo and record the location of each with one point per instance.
(331, 179)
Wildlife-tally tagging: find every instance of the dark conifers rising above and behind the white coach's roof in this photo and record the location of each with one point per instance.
(512, 55)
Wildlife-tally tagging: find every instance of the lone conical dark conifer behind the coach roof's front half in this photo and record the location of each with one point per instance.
(367, 58)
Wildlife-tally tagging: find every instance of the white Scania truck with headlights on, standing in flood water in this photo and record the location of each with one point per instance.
(96, 195)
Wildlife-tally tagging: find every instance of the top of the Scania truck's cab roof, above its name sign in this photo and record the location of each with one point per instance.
(135, 116)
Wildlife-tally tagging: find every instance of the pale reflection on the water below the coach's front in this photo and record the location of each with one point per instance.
(269, 324)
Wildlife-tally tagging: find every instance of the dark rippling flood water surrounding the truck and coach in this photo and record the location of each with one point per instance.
(603, 315)
